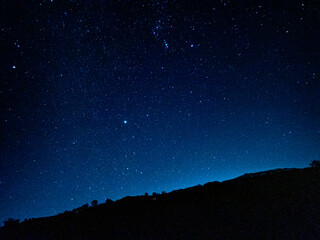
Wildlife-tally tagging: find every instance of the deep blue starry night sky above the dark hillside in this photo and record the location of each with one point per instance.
(104, 99)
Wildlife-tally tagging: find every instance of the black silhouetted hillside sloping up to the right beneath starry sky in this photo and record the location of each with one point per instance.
(277, 204)
